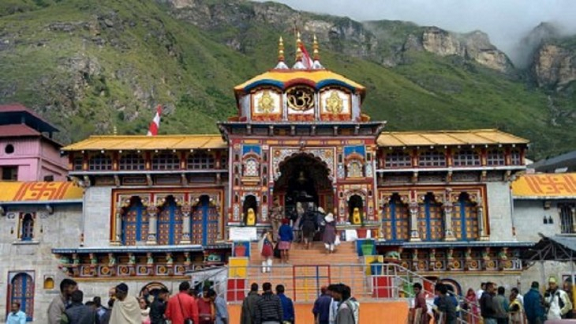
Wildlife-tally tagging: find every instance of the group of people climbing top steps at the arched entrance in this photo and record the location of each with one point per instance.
(300, 226)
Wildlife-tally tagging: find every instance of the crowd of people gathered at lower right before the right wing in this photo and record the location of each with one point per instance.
(491, 305)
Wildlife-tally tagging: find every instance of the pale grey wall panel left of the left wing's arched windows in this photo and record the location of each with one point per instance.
(97, 204)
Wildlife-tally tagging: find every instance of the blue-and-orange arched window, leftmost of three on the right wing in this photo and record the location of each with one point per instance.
(395, 218)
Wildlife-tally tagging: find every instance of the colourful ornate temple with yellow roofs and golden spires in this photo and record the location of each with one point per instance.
(456, 206)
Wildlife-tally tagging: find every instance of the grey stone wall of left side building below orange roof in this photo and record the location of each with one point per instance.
(61, 229)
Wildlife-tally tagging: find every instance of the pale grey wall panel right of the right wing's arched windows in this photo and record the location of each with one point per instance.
(499, 211)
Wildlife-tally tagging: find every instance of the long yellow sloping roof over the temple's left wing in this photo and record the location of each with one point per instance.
(142, 142)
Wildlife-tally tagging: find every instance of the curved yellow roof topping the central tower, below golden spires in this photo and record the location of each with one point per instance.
(284, 78)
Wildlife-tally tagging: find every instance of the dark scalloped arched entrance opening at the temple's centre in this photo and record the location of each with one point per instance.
(304, 178)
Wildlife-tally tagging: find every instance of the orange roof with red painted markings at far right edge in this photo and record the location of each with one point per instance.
(545, 186)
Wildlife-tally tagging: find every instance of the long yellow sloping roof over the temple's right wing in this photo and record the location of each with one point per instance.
(453, 137)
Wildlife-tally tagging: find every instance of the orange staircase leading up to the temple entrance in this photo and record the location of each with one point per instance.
(308, 270)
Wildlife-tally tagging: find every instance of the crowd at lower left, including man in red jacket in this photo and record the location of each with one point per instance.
(185, 307)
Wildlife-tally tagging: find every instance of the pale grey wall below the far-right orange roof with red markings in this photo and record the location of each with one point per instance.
(529, 219)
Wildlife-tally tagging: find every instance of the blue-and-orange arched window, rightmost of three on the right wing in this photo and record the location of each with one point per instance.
(465, 219)
